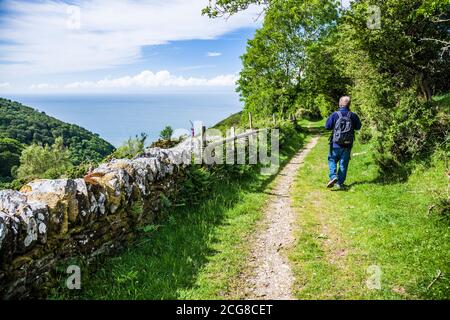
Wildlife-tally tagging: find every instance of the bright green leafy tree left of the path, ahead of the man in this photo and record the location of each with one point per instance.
(275, 66)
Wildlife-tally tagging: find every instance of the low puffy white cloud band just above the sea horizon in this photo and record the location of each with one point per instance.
(148, 79)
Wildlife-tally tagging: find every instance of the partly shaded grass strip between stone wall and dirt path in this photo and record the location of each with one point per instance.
(197, 251)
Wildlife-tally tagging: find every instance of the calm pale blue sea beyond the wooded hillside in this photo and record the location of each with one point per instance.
(117, 117)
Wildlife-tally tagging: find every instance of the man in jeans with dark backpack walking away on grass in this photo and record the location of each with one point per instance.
(343, 123)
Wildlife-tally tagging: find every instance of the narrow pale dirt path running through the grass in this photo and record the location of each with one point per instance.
(271, 276)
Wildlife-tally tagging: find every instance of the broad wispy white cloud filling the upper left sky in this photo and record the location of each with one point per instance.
(45, 37)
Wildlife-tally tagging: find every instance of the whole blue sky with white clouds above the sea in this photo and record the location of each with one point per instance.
(114, 46)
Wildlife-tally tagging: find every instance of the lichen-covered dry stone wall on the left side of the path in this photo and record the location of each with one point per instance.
(49, 221)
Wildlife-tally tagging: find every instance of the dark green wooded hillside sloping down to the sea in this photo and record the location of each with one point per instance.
(27, 126)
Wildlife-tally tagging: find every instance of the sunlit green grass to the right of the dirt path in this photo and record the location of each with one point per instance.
(342, 233)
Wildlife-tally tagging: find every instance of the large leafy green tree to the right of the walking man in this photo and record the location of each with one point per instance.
(393, 74)
